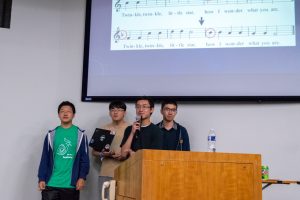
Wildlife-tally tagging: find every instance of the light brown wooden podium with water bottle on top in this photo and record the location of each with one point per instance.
(169, 175)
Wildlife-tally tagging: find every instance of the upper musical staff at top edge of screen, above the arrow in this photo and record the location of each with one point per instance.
(135, 4)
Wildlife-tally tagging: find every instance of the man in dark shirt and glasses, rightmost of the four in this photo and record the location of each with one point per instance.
(175, 136)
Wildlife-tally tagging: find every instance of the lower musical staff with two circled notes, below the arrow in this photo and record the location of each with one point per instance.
(208, 32)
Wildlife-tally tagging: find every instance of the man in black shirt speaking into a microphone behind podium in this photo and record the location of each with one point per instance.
(142, 134)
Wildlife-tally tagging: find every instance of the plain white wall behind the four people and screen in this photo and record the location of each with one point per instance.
(41, 65)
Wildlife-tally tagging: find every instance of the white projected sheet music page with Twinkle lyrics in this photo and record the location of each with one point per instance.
(173, 24)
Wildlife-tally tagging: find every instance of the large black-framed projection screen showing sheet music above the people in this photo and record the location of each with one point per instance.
(192, 50)
